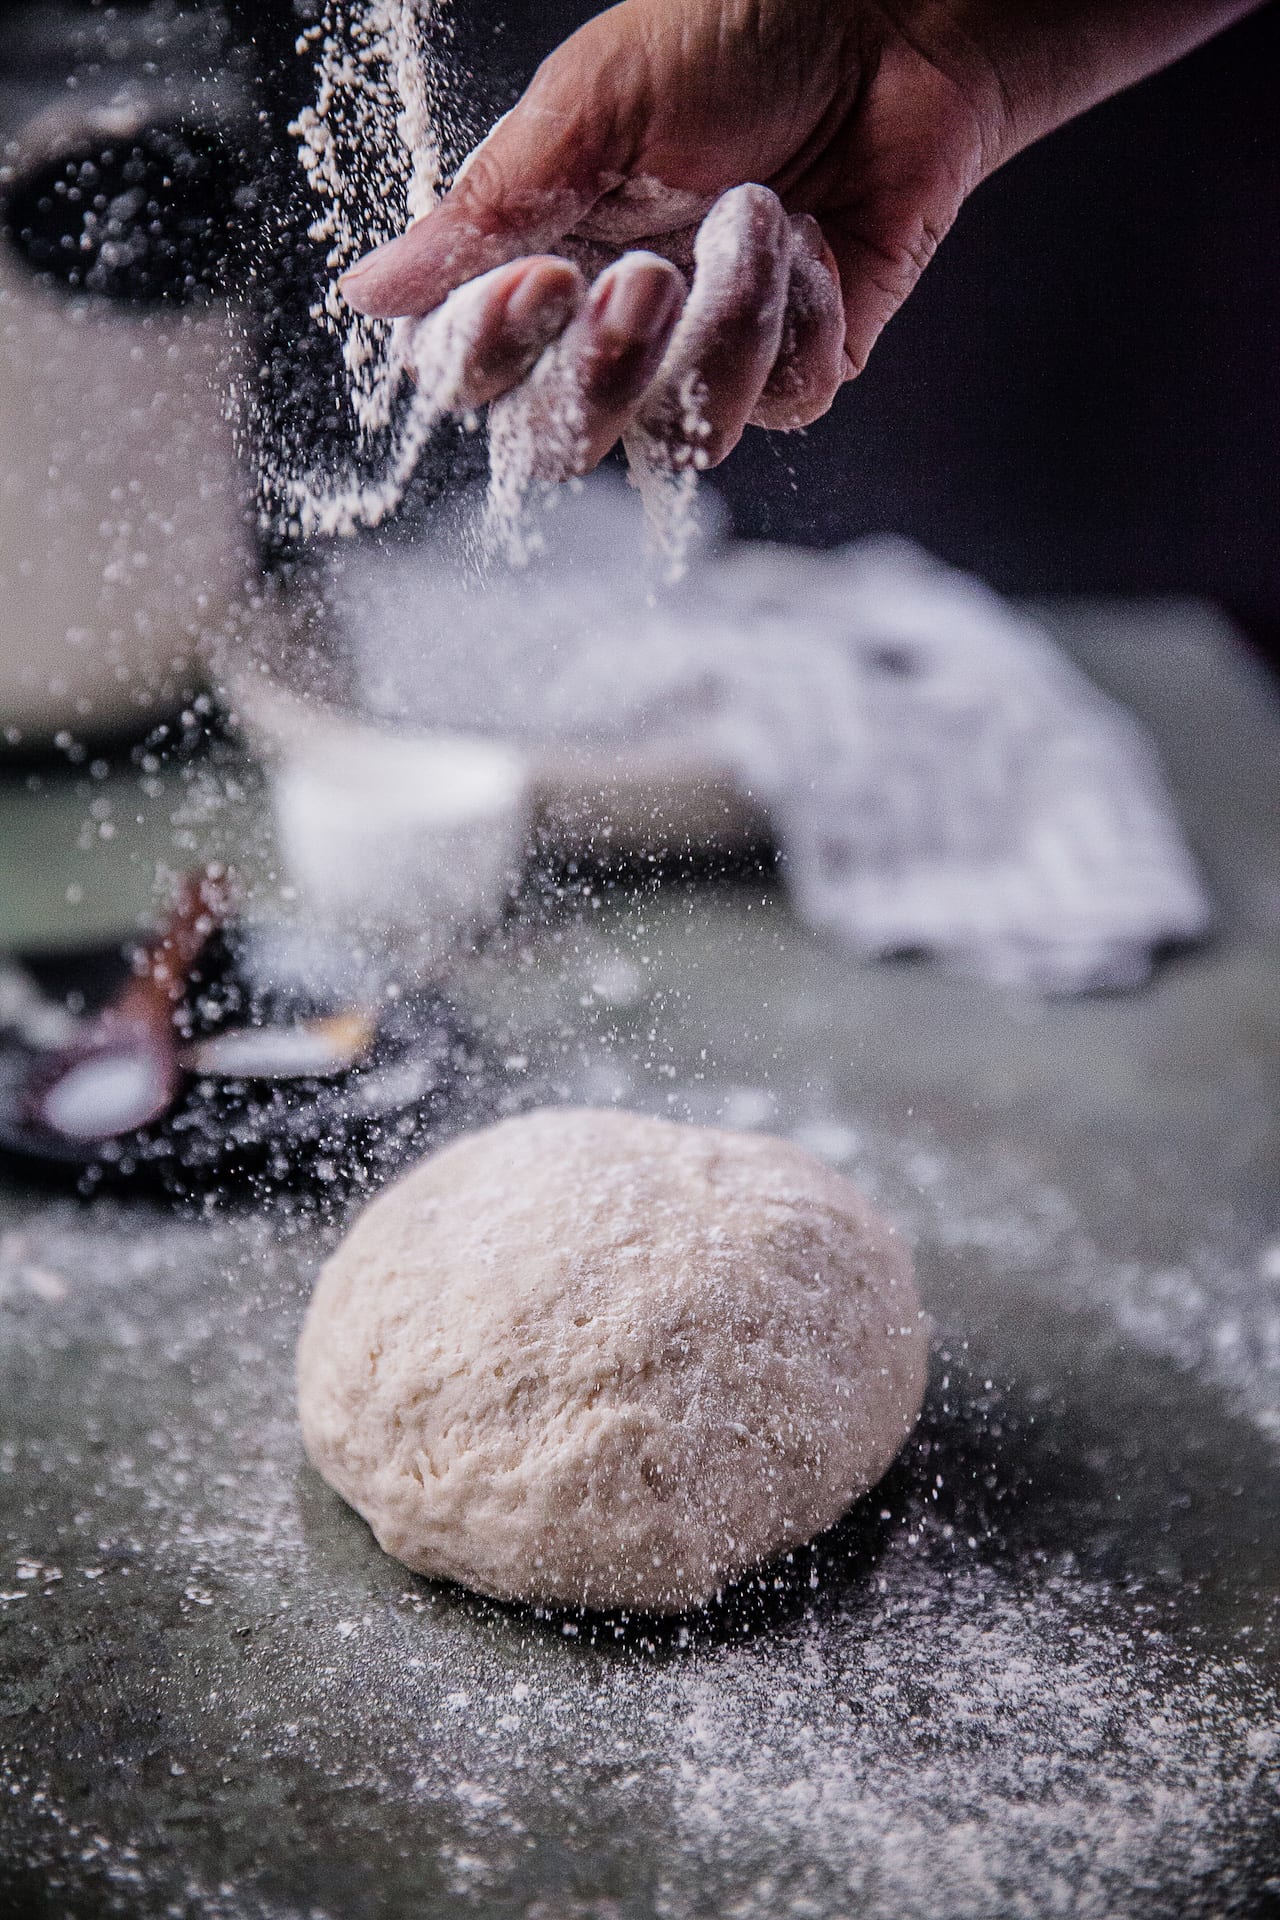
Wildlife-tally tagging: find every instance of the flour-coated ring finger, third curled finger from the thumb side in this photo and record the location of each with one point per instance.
(730, 335)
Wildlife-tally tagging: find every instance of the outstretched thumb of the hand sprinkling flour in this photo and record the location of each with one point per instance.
(525, 187)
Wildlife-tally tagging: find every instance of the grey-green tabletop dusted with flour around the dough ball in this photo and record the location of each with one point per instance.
(1035, 1675)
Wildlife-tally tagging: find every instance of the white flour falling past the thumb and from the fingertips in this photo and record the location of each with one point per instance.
(371, 151)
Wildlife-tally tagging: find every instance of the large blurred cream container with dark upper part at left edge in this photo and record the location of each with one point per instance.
(124, 539)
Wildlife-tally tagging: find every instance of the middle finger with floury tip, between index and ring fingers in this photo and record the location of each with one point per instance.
(584, 391)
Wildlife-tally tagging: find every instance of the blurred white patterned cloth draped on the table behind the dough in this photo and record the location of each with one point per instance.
(937, 777)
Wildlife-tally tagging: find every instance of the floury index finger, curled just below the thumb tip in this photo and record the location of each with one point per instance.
(490, 333)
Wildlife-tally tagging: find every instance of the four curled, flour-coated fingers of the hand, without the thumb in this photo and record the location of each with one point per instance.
(761, 339)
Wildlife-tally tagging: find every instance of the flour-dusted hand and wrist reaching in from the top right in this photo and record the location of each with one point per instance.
(788, 172)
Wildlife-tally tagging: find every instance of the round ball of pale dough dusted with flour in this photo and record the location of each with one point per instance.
(604, 1360)
